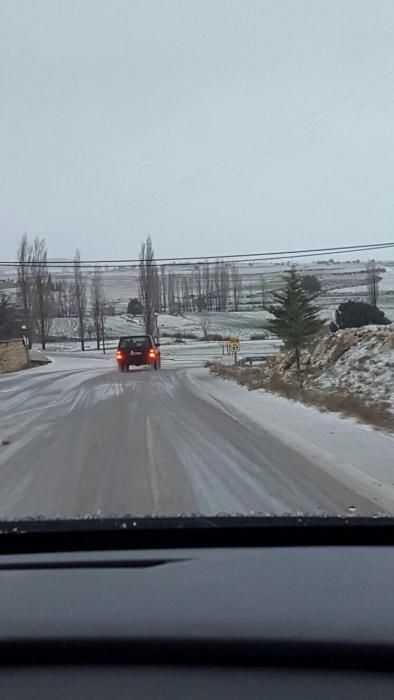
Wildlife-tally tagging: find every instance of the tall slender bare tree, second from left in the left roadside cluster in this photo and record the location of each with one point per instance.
(42, 289)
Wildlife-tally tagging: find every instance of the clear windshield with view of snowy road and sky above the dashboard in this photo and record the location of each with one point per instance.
(196, 258)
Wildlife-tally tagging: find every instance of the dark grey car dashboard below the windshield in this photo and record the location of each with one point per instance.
(288, 620)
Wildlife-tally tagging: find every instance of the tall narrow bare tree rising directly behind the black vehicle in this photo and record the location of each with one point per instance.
(148, 283)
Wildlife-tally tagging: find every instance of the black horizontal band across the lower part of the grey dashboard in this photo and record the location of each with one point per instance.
(209, 652)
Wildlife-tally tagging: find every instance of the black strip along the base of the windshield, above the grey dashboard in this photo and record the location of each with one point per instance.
(154, 533)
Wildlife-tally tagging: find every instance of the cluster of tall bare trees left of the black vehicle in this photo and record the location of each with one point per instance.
(41, 298)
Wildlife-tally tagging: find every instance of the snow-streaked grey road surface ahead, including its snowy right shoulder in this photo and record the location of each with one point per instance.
(86, 439)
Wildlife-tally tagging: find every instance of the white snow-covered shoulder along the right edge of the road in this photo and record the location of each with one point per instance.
(357, 454)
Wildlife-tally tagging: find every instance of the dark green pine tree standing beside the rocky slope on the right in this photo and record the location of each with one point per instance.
(296, 318)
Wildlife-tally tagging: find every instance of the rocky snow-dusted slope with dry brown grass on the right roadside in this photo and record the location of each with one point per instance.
(350, 372)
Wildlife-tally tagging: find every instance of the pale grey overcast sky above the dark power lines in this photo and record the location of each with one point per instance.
(215, 126)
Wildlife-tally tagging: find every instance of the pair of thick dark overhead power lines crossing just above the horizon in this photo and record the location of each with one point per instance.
(240, 258)
